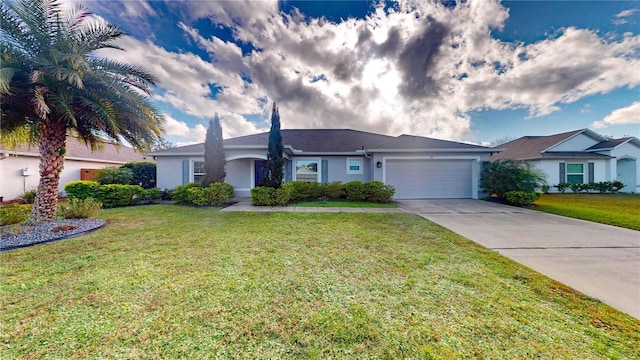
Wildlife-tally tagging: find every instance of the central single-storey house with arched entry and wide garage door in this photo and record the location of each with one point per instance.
(418, 167)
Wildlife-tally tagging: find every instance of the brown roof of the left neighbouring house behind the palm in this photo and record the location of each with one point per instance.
(77, 150)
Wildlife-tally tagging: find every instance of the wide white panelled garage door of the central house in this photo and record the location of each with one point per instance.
(430, 179)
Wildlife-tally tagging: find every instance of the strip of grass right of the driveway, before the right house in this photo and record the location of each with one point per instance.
(612, 209)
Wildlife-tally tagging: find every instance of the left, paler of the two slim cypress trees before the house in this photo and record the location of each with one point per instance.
(213, 154)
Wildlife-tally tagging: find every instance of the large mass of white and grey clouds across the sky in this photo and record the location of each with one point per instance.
(419, 67)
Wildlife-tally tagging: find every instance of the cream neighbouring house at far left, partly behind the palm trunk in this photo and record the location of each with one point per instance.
(19, 167)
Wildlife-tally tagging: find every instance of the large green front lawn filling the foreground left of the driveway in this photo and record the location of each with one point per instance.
(167, 281)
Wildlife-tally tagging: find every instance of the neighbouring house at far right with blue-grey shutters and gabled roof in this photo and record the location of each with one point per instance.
(580, 156)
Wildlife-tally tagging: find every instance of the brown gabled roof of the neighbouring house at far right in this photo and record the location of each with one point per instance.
(537, 147)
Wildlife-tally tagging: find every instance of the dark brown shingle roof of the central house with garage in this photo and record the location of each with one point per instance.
(331, 141)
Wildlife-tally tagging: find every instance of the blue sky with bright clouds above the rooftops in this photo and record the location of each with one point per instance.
(472, 71)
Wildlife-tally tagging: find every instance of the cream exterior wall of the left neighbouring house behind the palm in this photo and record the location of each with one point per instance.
(13, 184)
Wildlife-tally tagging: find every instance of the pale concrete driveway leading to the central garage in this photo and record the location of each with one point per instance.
(598, 260)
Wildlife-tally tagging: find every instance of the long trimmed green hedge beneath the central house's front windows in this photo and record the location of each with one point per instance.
(293, 191)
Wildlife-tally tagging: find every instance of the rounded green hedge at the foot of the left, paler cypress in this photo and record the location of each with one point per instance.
(216, 194)
